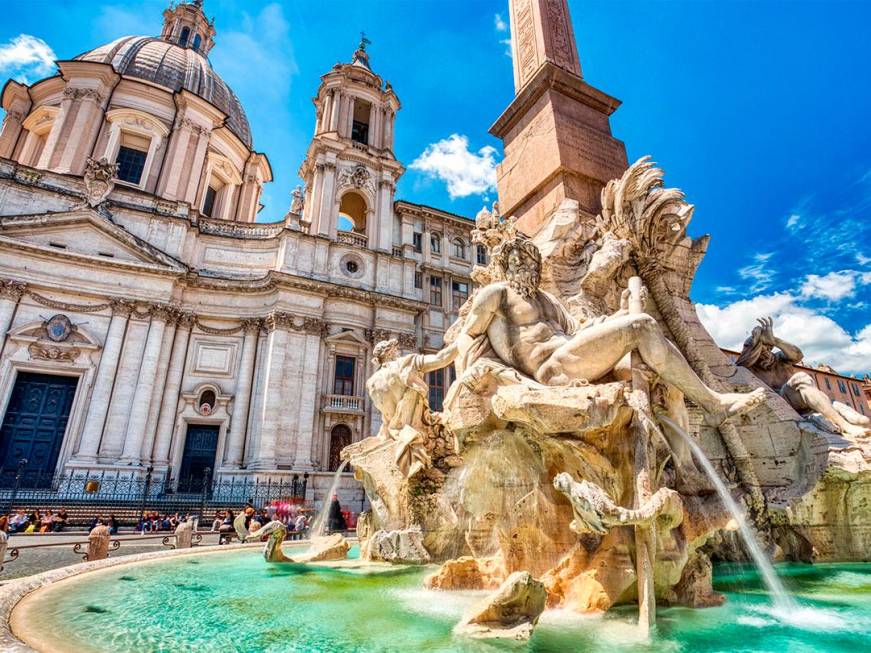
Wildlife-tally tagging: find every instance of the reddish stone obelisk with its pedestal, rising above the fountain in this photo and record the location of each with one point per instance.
(556, 131)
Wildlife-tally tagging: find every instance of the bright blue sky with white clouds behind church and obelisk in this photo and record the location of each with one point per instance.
(758, 110)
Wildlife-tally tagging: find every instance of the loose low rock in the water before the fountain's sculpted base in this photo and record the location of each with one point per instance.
(511, 612)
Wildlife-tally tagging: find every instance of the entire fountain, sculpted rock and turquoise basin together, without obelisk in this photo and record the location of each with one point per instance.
(559, 479)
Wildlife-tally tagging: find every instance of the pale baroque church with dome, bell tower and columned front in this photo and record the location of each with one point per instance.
(149, 323)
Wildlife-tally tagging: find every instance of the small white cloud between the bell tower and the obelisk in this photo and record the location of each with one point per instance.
(465, 172)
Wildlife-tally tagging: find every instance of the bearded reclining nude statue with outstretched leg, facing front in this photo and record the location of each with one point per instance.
(528, 330)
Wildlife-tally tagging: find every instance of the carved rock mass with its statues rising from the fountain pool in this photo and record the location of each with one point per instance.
(560, 449)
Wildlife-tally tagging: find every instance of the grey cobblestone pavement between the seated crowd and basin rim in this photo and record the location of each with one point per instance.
(35, 561)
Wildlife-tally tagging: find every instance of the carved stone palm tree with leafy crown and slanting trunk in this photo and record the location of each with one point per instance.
(653, 219)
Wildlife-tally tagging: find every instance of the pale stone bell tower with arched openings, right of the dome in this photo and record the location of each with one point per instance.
(350, 170)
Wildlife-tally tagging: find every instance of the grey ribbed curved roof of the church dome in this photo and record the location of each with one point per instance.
(176, 68)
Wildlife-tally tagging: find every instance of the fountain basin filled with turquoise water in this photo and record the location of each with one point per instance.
(229, 600)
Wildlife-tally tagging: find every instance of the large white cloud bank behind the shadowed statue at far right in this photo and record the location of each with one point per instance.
(820, 338)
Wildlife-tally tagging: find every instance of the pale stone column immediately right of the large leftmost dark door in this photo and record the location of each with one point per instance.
(103, 382)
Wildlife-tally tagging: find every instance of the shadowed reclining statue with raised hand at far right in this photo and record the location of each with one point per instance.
(777, 370)
